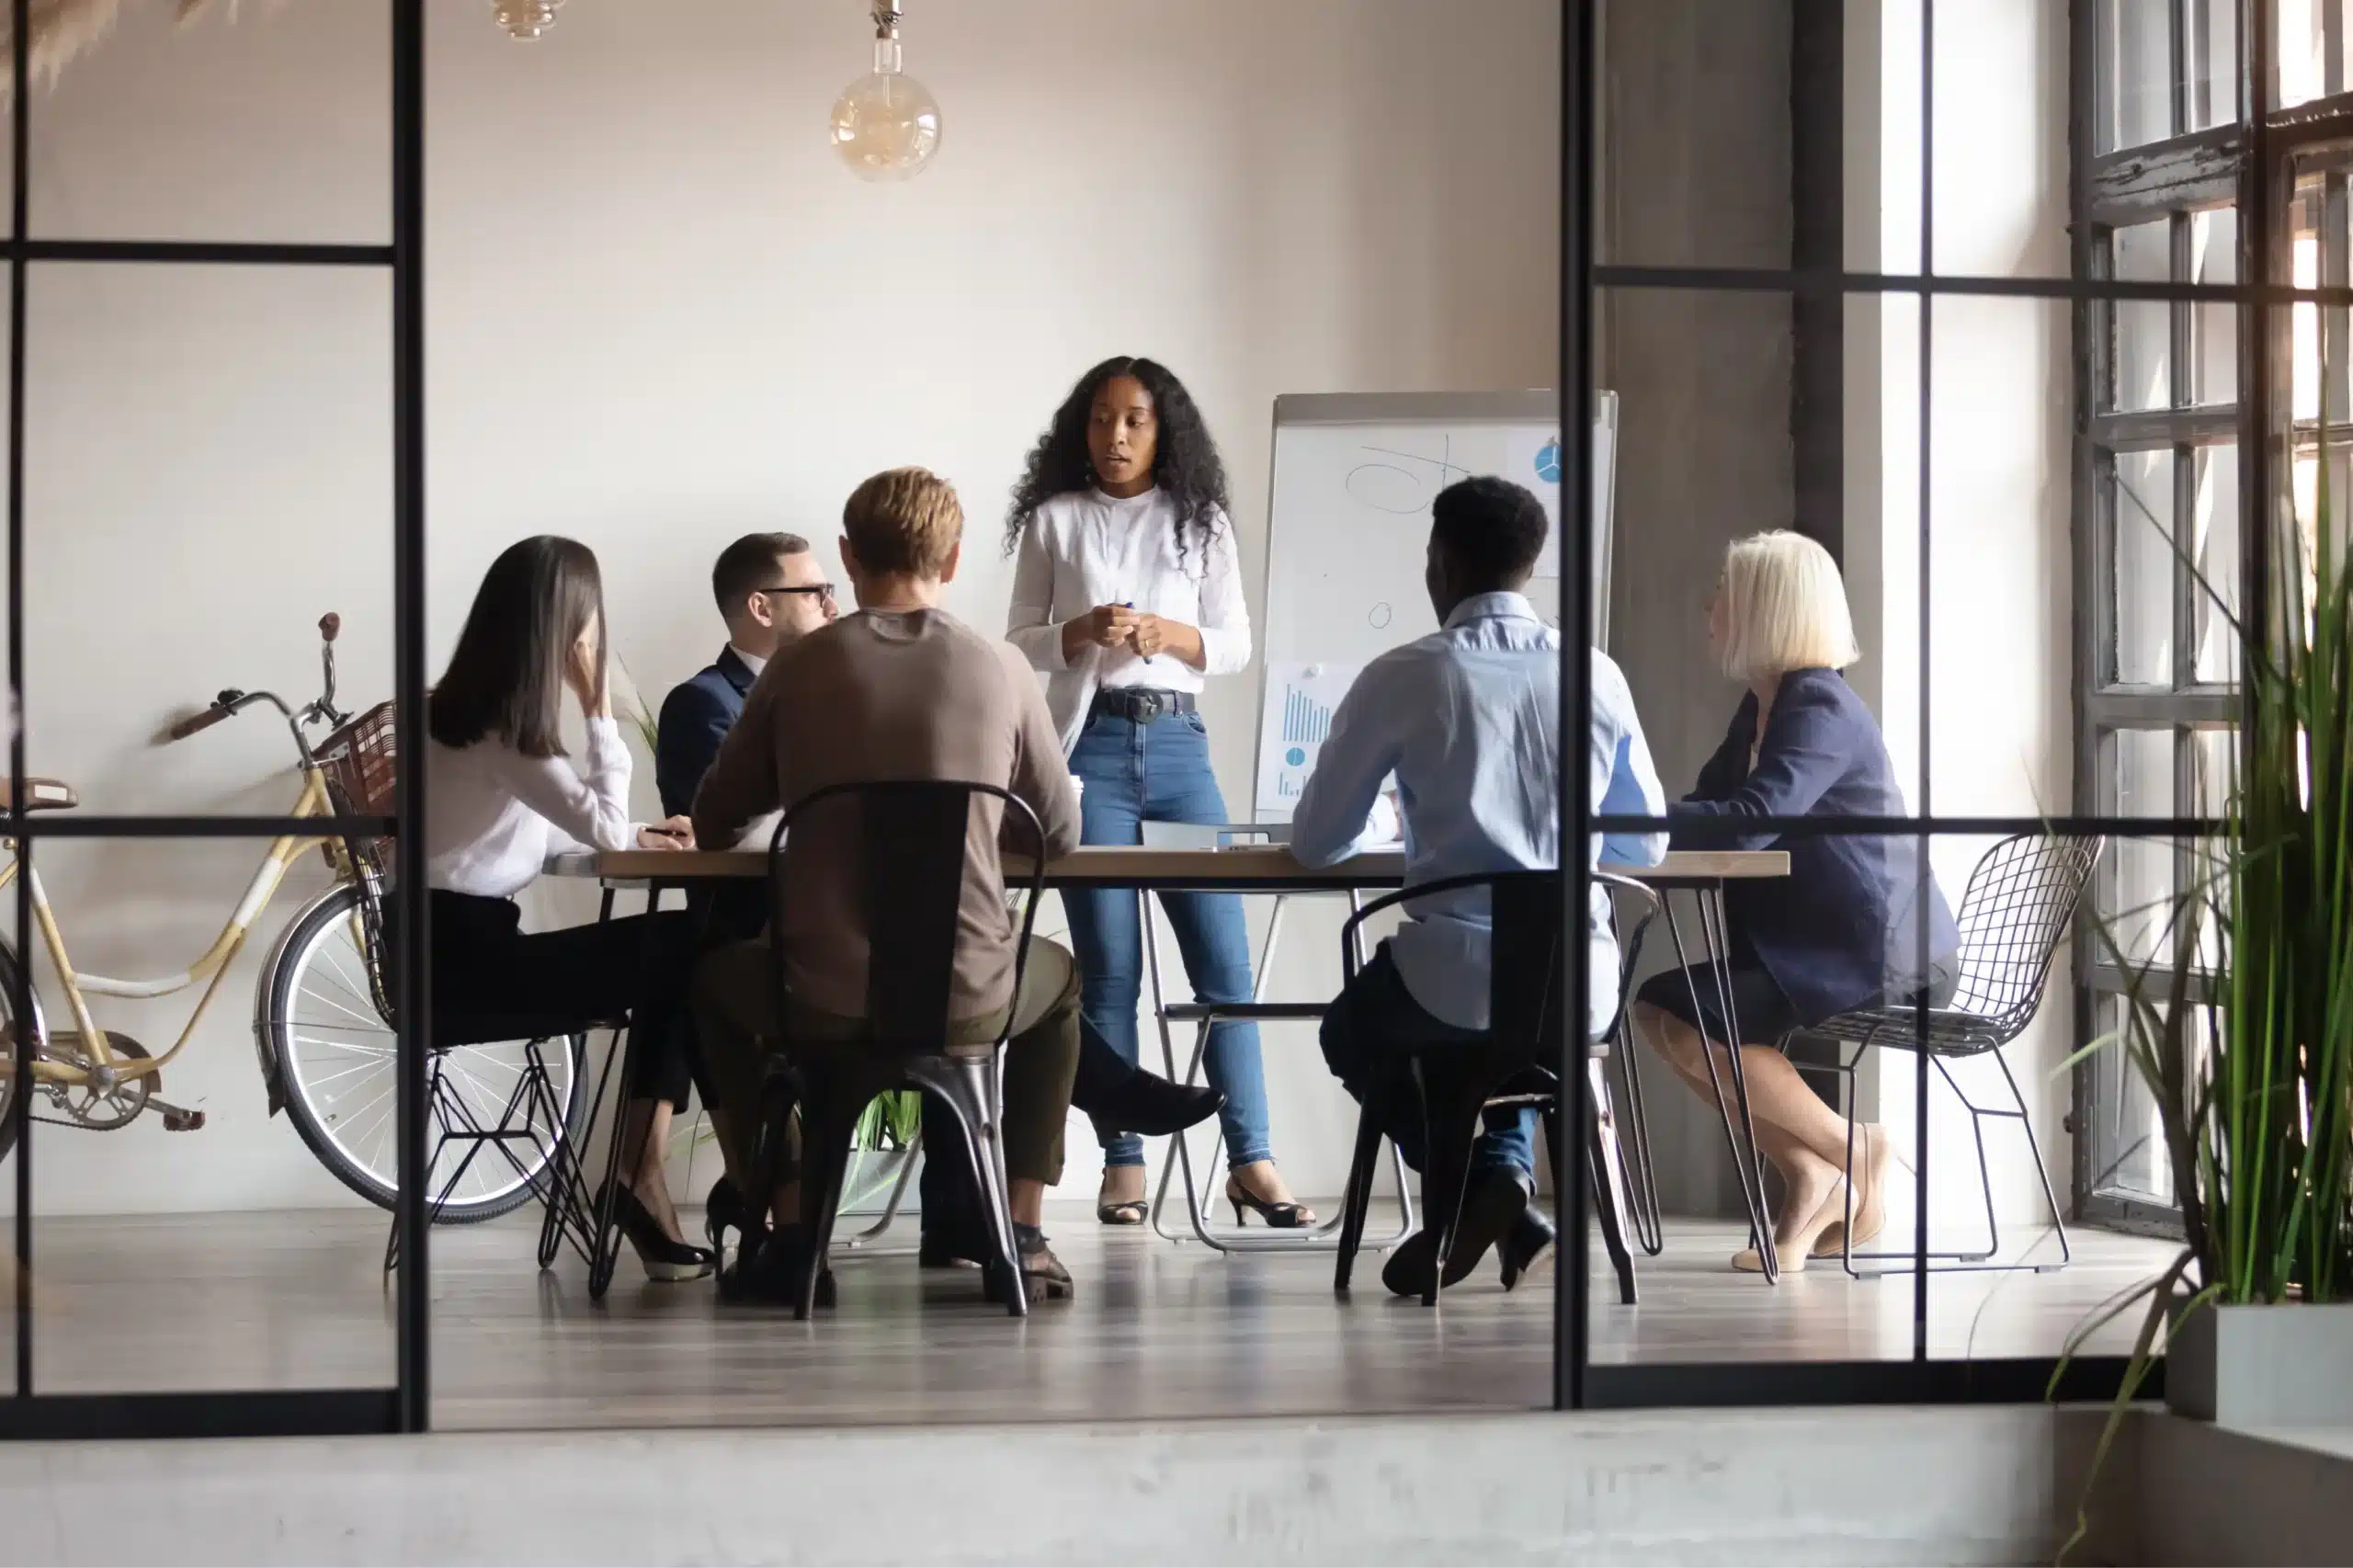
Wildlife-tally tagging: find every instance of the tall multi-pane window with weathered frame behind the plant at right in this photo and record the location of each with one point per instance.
(2189, 408)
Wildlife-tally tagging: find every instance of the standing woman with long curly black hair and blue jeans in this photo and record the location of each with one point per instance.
(1128, 597)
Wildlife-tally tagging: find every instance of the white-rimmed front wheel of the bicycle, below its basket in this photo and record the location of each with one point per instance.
(340, 1070)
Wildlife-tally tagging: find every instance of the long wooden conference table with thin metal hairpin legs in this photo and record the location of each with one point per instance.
(1272, 870)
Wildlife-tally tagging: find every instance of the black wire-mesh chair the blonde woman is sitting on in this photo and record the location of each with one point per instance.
(2015, 915)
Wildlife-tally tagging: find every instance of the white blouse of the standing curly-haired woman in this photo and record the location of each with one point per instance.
(1088, 550)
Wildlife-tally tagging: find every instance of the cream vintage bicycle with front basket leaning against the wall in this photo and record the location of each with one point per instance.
(321, 1006)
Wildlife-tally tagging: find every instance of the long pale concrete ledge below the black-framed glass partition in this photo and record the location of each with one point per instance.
(1827, 1489)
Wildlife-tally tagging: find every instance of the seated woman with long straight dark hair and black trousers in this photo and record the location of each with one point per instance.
(500, 799)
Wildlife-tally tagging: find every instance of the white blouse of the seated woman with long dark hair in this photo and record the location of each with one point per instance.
(495, 816)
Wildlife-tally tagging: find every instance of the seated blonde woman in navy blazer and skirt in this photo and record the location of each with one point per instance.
(1841, 931)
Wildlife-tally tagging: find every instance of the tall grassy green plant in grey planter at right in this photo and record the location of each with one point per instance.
(2244, 1032)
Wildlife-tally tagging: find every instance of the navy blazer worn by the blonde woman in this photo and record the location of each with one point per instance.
(1841, 929)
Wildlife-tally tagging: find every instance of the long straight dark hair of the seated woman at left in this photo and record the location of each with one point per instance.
(507, 675)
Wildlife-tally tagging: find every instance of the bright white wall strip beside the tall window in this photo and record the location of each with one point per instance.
(1999, 620)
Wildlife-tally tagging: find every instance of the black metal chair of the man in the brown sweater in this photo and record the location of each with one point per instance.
(914, 842)
